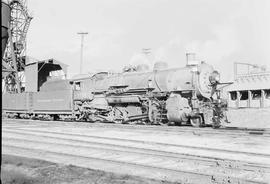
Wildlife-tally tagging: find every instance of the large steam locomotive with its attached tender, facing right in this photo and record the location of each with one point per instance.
(163, 96)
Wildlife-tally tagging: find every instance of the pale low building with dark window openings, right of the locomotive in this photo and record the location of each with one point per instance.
(251, 89)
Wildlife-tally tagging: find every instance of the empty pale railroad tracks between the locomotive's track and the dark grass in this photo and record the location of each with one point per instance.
(144, 158)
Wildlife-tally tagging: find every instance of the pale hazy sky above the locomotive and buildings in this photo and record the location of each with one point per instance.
(220, 32)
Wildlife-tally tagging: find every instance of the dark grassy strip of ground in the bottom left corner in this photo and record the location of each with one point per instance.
(20, 170)
